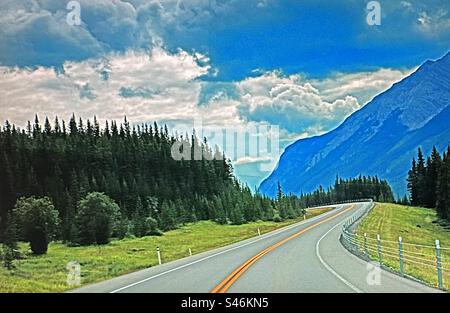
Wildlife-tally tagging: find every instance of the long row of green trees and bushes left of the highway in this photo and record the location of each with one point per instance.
(85, 184)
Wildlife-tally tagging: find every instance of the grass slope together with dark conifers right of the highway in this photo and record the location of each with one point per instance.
(423, 218)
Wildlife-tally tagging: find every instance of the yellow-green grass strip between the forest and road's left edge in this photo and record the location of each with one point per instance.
(48, 273)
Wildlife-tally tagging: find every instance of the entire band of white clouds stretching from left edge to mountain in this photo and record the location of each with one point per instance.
(167, 87)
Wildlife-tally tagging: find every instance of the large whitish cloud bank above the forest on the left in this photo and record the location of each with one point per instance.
(96, 86)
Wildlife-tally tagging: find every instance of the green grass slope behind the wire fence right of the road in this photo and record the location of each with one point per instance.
(416, 226)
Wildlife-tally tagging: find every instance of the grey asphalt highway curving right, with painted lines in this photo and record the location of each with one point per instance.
(304, 257)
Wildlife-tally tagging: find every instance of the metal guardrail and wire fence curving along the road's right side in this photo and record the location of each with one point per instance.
(421, 262)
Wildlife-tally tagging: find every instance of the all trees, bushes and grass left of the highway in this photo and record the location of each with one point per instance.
(106, 197)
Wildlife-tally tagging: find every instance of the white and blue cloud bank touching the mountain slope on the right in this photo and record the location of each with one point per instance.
(301, 107)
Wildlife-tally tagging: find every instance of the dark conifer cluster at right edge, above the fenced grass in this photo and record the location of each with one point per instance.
(429, 181)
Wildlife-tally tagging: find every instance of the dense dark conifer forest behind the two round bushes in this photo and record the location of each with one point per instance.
(132, 165)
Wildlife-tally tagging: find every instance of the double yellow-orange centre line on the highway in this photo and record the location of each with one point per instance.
(231, 279)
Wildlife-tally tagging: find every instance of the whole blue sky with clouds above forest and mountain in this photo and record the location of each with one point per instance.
(303, 66)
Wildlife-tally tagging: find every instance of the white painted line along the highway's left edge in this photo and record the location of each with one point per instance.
(271, 234)
